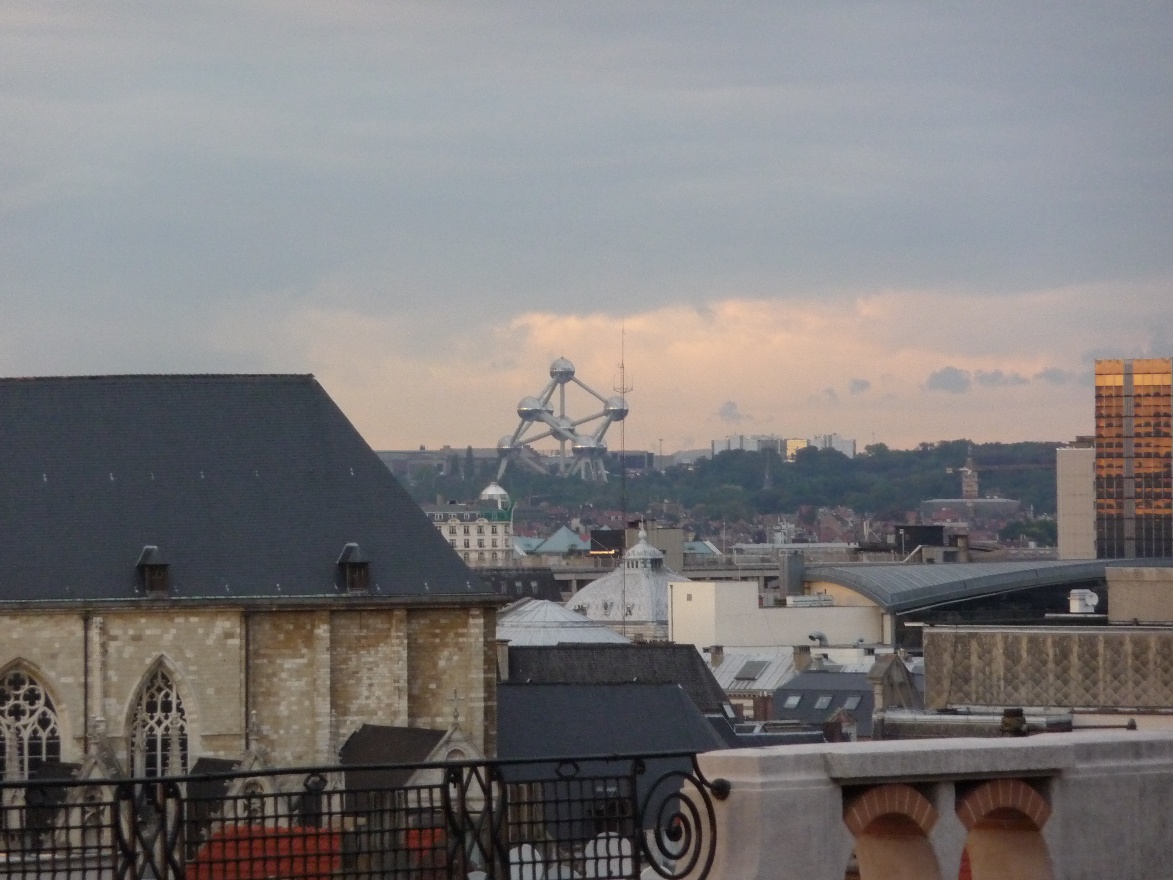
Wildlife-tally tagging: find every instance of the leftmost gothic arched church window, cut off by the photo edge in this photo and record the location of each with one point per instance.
(30, 735)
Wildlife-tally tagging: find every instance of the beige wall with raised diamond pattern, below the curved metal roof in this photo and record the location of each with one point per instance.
(1086, 668)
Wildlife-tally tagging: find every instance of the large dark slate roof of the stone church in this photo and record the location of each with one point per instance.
(249, 485)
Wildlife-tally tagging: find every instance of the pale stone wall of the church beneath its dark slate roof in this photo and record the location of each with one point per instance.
(291, 682)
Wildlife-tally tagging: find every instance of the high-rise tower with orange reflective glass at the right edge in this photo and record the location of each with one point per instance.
(1135, 458)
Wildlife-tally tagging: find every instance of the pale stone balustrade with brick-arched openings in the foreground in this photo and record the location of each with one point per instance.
(1060, 805)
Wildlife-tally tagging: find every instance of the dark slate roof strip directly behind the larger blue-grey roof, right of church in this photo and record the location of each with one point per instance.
(677, 665)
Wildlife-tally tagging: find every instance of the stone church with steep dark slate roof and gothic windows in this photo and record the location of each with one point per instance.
(219, 567)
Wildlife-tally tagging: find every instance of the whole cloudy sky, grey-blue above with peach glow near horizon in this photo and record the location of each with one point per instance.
(899, 222)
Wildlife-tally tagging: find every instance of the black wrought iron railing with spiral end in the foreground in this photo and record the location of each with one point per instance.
(594, 817)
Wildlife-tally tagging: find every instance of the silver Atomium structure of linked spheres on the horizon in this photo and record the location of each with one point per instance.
(582, 450)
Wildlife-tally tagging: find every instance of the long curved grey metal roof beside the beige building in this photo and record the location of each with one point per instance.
(899, 588)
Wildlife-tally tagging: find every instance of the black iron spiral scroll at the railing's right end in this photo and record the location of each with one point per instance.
(682, 825)
